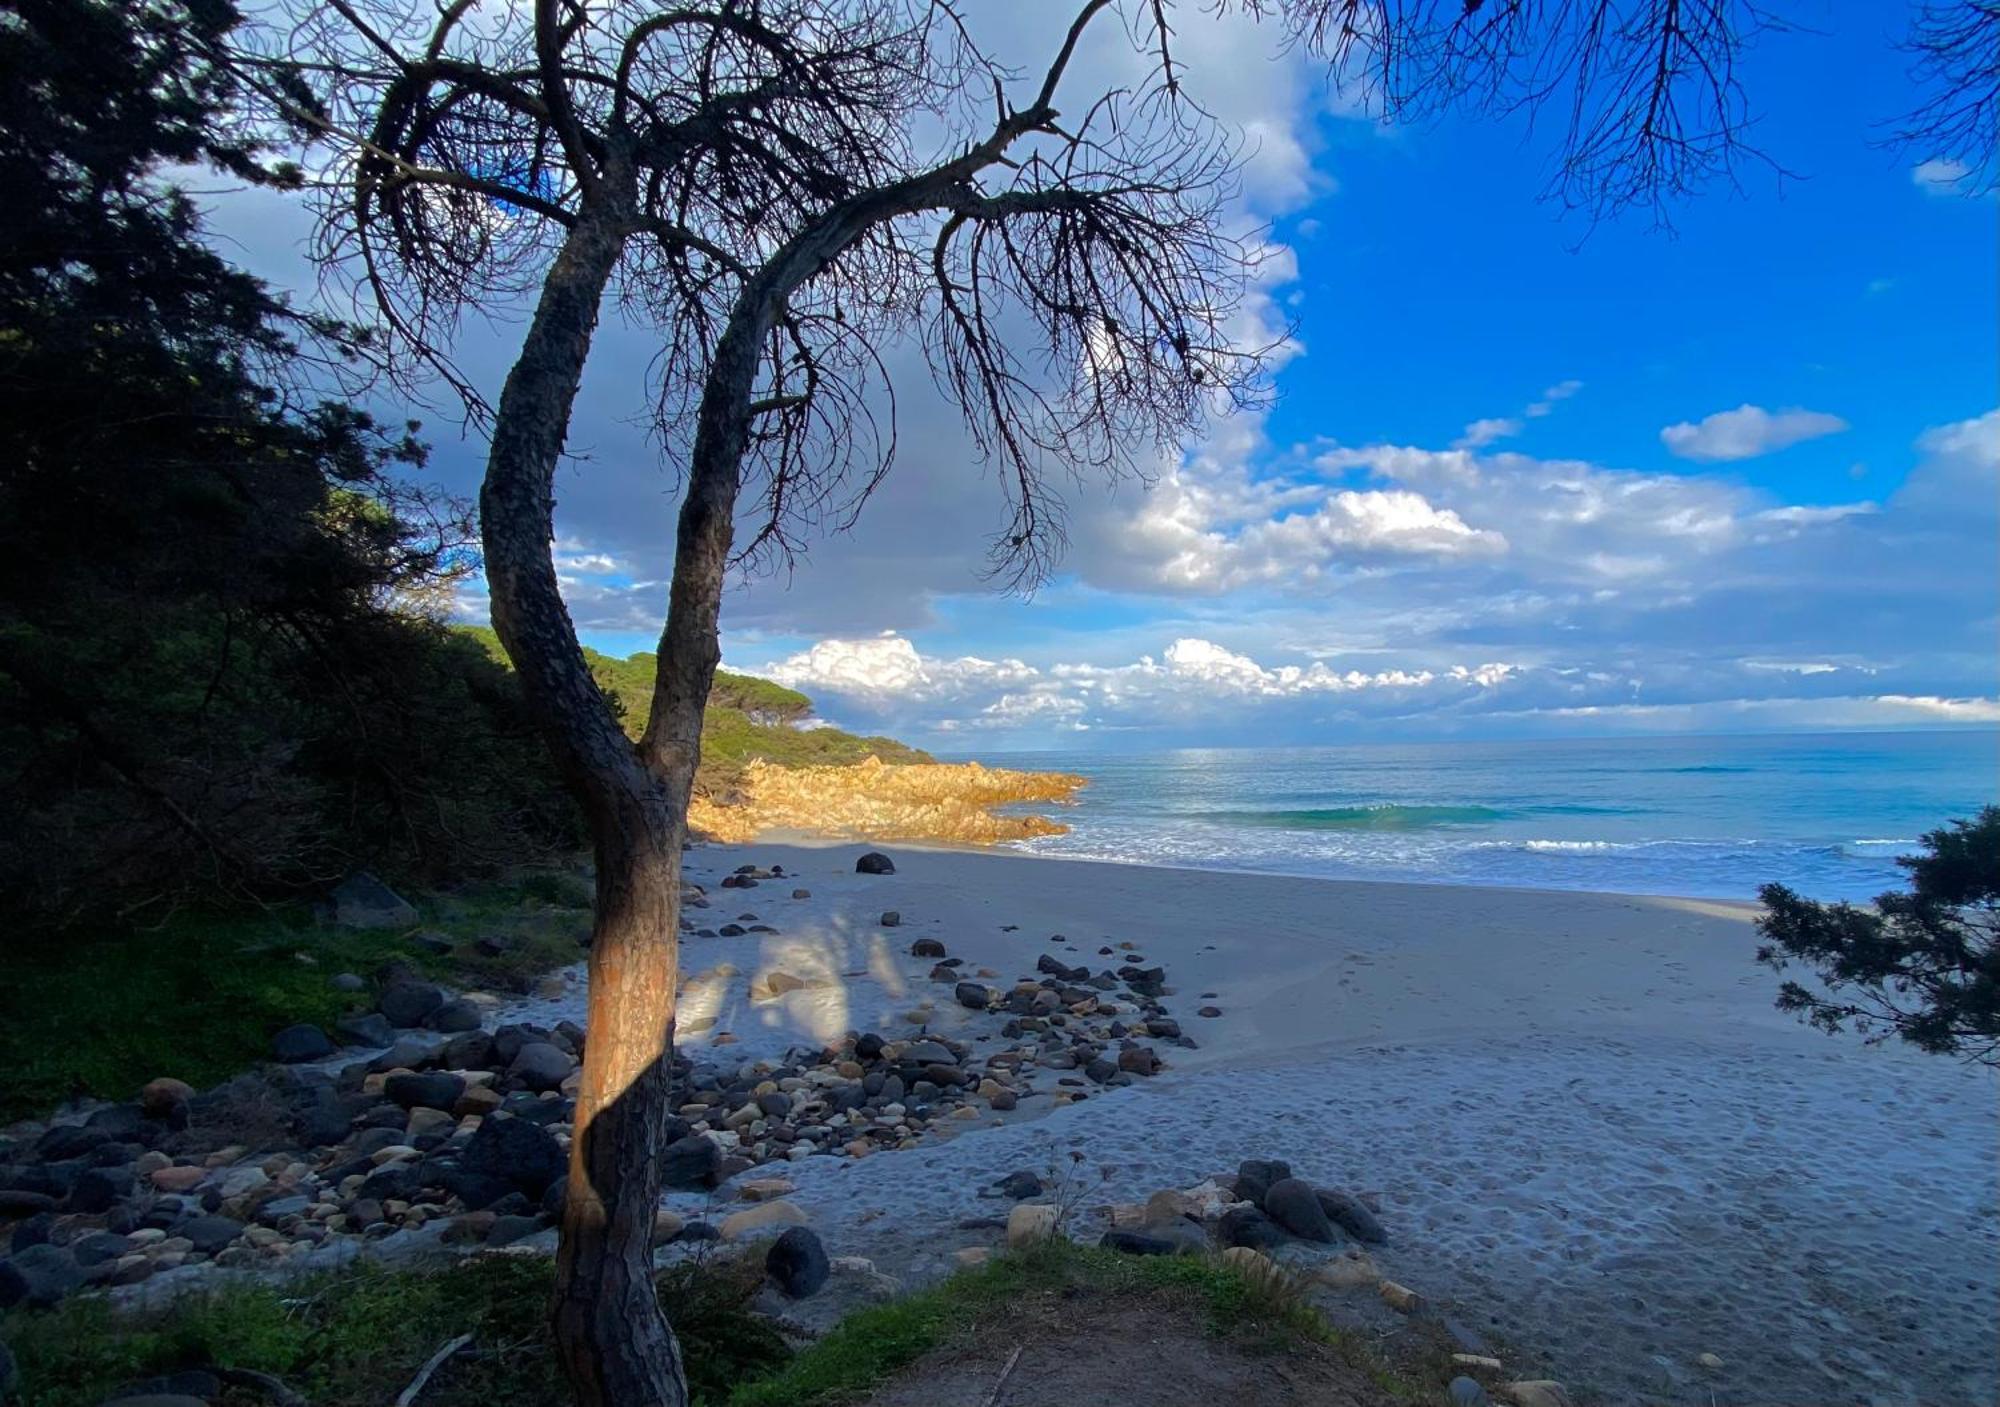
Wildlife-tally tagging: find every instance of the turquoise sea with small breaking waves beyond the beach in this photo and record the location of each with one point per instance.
(1703, 816)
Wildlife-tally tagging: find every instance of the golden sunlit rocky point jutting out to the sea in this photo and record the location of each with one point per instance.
(877, 800)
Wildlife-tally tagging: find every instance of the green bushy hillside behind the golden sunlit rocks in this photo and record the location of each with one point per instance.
(747, 720)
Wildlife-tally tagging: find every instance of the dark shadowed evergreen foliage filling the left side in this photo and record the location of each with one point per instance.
(219, 675)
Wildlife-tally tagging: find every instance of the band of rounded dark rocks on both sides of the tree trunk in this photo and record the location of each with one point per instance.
(463, 1126)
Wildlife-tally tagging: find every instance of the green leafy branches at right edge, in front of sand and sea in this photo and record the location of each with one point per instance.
(1923, 964)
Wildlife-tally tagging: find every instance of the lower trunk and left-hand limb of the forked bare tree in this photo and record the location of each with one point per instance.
(613, 1340)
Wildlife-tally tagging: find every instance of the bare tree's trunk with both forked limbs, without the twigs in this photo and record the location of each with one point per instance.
(611, 1334)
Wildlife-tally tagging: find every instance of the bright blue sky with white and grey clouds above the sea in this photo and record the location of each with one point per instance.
(1521, 475)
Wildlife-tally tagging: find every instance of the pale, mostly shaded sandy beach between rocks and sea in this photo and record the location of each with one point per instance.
(1591, 1136)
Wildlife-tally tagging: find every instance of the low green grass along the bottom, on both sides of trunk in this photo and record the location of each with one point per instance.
(355, 1338)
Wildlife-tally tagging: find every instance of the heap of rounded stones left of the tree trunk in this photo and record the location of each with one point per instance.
(433, 1128)
